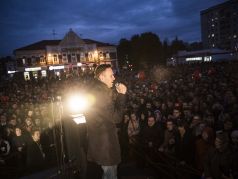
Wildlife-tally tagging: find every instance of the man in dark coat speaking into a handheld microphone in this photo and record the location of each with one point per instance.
(103, 144)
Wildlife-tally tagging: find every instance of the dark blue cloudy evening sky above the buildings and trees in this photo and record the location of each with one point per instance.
(27, 21)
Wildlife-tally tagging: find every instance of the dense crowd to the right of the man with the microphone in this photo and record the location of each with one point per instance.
(186, 112)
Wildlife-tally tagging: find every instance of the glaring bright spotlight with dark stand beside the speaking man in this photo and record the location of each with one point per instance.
(75, 131)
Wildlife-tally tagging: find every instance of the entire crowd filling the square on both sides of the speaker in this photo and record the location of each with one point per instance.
(186, 114)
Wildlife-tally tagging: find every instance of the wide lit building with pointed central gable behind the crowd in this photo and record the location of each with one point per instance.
(71, 52)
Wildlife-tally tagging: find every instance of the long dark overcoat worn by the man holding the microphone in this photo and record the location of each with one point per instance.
(103, 143)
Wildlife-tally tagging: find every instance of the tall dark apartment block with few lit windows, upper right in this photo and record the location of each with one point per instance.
(219, 26)
